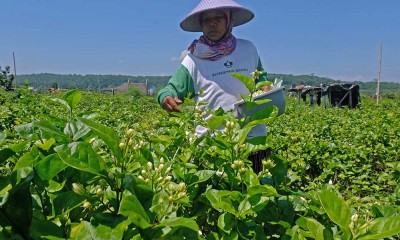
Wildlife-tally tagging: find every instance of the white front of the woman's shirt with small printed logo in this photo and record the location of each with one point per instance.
(219, 88)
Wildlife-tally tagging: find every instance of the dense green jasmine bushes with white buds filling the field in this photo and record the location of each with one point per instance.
(109, 171)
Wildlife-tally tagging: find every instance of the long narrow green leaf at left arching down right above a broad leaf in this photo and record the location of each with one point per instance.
(108, 135)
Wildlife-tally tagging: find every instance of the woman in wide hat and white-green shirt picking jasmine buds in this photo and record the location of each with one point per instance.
(204, 73)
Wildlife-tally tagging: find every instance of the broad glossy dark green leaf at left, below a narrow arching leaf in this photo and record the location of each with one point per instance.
(80, 155)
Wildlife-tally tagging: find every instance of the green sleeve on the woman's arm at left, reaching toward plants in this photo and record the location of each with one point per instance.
(180, 85)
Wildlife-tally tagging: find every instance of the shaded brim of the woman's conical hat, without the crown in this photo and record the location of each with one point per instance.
(240, 16)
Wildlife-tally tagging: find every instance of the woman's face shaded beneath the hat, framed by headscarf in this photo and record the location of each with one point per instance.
(214, 24)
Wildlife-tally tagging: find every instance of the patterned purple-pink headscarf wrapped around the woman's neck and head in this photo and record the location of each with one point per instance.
(207, 49)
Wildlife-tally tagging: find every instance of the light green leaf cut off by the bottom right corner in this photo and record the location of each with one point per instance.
(381, 228)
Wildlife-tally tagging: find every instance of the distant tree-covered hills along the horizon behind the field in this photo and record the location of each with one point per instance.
(95, 82)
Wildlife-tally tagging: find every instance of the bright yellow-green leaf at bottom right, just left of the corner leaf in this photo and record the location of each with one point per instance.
(336, 209)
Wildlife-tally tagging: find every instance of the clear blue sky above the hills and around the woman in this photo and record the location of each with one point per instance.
(338, 39)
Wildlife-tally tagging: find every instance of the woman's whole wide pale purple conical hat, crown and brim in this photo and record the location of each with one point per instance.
(240, 15)
